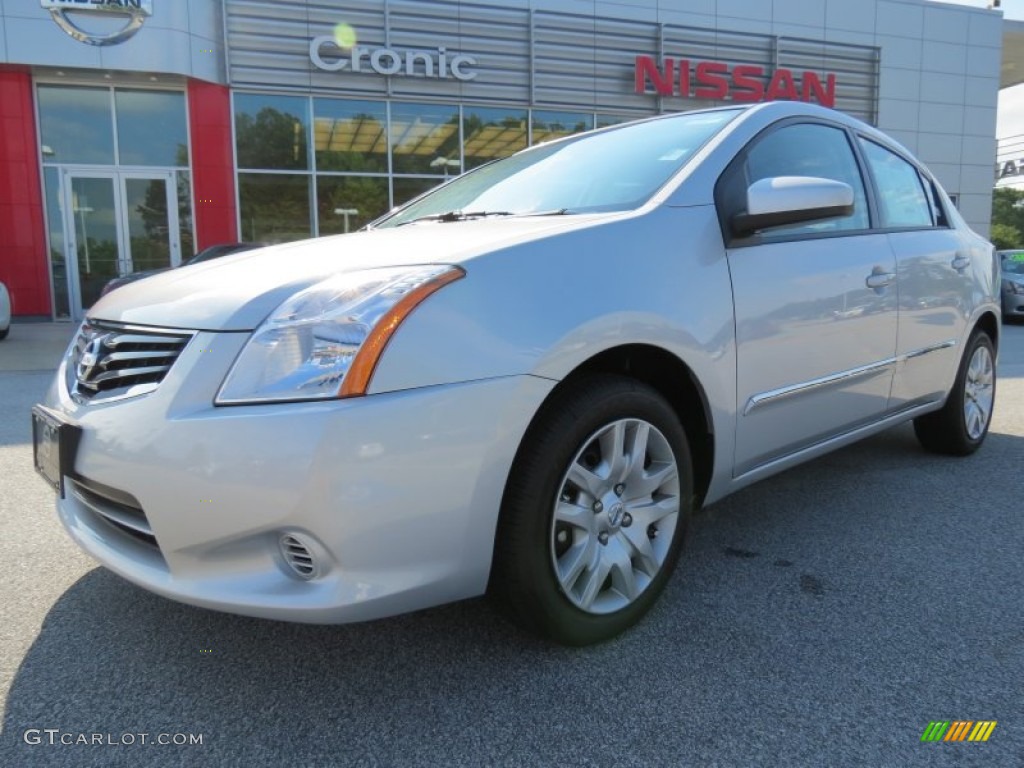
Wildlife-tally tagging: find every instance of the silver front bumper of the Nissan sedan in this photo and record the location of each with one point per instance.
(397, 494)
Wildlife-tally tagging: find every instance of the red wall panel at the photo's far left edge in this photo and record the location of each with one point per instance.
(23, 232)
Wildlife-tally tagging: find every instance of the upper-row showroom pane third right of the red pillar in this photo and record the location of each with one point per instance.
(425, 139)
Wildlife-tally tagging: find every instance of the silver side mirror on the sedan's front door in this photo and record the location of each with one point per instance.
(792, 200)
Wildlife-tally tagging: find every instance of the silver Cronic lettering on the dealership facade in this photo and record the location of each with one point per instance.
(433, 64)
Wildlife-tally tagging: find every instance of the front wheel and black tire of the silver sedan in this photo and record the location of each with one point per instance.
(588, 537)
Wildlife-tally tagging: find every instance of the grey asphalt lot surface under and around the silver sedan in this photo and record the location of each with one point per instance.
(822, 618)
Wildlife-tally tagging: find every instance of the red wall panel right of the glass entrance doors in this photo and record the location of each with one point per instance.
(214, 164)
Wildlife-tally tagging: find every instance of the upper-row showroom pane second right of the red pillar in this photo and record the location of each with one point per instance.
(351, 136)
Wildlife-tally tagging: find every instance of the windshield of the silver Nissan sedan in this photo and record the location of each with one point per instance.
(615, 170)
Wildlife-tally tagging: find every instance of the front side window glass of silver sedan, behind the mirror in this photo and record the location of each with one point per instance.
(810, 150)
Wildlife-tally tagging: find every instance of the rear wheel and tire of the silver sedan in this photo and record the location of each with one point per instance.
(960, 428)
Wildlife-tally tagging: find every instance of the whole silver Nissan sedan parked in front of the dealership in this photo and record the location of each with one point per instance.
(527, 379)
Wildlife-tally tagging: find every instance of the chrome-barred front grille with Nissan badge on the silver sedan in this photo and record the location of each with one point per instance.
(110, 362)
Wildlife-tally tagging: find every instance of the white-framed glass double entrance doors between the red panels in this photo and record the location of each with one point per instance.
(117, 224)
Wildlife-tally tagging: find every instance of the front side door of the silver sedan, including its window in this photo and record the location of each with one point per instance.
(816, 305)
